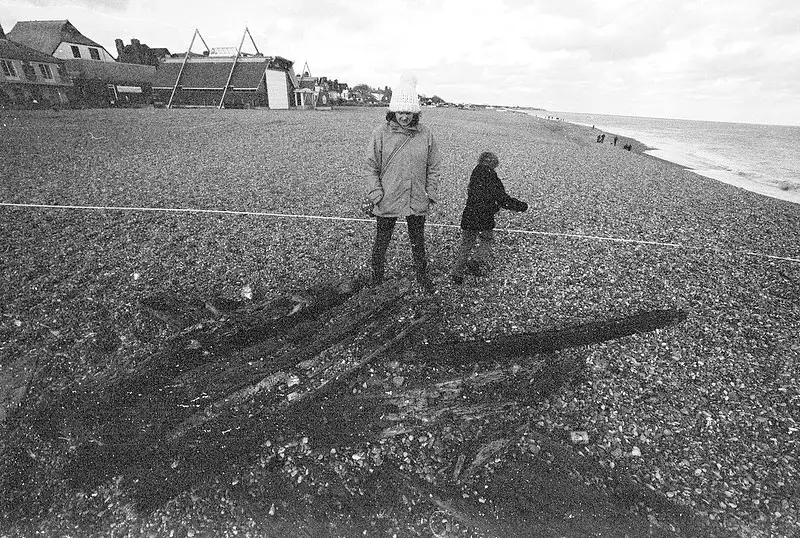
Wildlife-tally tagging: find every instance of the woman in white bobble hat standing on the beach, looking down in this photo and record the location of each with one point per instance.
(403, 166)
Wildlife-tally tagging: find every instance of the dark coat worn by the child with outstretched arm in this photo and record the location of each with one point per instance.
(485, 197)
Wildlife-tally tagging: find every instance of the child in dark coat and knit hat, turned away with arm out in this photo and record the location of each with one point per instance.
(486, 195)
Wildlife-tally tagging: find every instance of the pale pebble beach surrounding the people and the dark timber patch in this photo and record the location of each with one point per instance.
(195, 202)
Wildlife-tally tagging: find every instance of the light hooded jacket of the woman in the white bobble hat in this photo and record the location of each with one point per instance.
(410, 182)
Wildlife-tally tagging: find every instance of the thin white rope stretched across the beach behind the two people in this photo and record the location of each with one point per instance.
(432, 224)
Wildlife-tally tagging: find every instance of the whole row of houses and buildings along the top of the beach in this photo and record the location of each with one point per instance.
(51, 64)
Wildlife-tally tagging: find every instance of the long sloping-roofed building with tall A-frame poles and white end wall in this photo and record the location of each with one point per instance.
(225, 78)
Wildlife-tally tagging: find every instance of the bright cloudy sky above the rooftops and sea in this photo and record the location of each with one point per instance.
(721, 60)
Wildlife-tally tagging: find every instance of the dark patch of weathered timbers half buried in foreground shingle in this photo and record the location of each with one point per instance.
(334, 404)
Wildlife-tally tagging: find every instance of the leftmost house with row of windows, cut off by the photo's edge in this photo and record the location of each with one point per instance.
(29, 78)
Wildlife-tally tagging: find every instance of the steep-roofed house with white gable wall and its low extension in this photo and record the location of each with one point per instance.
(98, 79)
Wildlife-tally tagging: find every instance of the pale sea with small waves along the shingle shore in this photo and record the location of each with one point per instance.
(757, 157)
